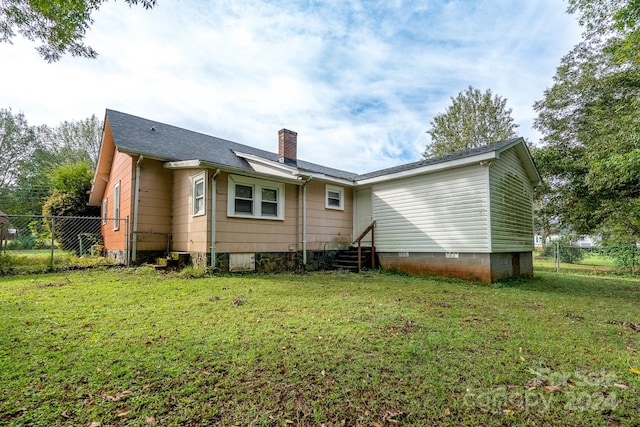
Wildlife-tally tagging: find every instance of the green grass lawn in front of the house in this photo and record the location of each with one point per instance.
(136, 347)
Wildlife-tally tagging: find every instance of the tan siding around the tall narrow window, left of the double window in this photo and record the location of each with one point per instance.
(190, 233)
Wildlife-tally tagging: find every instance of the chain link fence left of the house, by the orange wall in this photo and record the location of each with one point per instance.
(34, 243)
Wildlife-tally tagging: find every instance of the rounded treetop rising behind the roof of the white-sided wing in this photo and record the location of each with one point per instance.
(474, 119)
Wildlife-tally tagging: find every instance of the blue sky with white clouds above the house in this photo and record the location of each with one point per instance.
(360, 81)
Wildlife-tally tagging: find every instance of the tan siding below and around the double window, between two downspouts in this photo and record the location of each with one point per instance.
(237, 235)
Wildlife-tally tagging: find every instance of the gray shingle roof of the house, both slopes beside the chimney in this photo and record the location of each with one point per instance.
(170, 143)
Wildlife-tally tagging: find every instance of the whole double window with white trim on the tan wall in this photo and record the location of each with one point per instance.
(255, 198)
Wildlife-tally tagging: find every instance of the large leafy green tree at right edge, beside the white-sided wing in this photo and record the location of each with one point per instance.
(589, 118)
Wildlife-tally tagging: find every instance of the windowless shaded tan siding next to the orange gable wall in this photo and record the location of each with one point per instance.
(154, 206)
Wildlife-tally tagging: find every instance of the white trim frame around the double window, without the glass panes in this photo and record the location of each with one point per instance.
(257, 185)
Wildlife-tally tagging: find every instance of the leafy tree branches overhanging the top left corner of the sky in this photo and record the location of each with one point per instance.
(59, 25)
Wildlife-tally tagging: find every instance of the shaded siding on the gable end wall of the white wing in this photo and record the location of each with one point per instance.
(511, 205)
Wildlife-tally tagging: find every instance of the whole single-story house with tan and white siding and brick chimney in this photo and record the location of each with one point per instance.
(232, 206)
